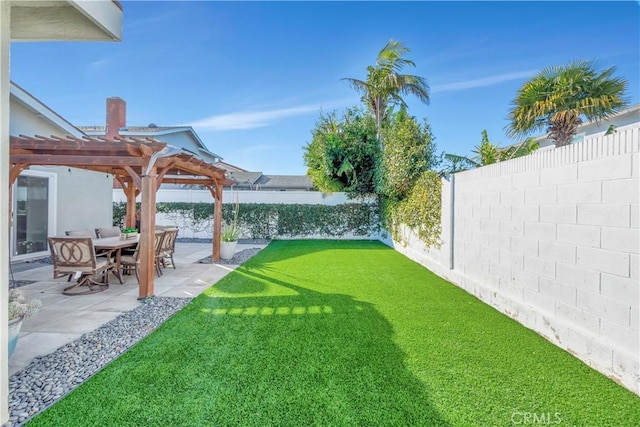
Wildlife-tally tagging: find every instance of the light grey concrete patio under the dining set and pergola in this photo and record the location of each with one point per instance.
(63, 319)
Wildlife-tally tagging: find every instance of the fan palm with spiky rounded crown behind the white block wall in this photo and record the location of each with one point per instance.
(561, 97)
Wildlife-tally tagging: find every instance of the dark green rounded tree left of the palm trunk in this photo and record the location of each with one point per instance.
(343, 153)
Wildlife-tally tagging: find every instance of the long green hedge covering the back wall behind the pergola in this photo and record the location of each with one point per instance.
(269, 221)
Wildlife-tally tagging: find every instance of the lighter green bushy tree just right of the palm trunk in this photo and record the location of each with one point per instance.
(408, 151)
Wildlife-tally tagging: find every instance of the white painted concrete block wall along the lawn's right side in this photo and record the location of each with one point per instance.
(552, 240)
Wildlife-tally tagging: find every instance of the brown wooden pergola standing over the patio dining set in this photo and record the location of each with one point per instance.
(140, 165)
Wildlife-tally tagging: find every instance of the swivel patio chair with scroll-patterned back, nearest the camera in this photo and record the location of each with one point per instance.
(76, 256)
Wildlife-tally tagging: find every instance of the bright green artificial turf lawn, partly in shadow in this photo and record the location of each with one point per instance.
(342, 333)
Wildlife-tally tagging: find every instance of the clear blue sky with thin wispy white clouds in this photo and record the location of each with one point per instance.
(252, 77)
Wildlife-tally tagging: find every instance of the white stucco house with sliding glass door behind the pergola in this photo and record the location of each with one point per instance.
(49, 200)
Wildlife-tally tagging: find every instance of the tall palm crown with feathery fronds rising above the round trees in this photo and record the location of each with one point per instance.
(385, 85)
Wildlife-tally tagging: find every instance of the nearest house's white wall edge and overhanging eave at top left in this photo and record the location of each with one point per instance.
(21, 20)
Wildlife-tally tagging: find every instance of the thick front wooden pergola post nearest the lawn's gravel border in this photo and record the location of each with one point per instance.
(147, 234)
